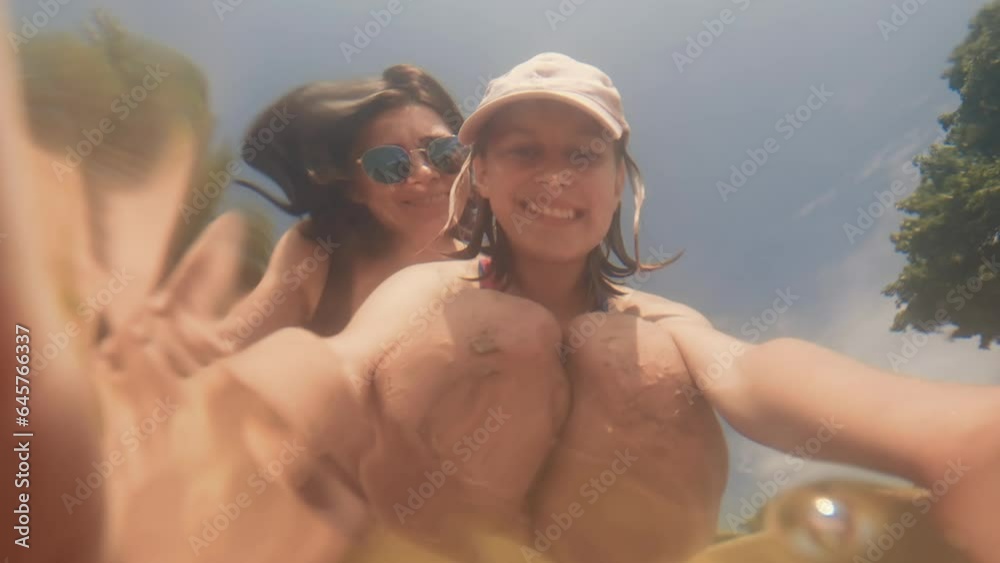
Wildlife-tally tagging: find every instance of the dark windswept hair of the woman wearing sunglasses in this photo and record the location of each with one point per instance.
(310, 158)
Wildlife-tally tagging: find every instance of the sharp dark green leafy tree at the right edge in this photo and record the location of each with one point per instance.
(952, 236)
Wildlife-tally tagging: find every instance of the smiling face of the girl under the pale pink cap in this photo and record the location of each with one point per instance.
(552, 179)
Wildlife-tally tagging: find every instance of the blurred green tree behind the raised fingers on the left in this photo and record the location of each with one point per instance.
(72, 81)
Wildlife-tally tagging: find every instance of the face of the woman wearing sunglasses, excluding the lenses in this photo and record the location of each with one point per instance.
(416, 209)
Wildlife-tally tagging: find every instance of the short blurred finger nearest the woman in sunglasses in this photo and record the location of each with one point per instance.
(207, 277)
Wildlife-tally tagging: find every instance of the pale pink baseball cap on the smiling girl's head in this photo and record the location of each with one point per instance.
(551, 76)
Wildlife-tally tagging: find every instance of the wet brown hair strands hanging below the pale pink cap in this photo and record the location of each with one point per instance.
(487, 237)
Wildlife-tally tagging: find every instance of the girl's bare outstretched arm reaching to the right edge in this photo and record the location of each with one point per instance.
(788, 393)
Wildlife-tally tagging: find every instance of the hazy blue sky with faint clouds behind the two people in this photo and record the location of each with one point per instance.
(783, 229)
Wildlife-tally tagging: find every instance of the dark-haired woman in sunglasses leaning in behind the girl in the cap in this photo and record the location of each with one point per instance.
(369, 164)
